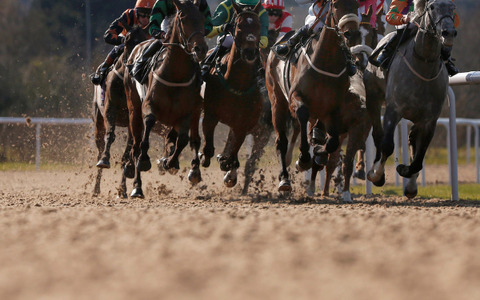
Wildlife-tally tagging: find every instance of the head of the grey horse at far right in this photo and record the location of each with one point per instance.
(438, 19)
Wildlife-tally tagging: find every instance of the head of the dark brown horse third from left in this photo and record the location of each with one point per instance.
(247, 31)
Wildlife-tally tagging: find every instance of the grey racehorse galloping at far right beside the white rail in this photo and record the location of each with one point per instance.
(415, 89)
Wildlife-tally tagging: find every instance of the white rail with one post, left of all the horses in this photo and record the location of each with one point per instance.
(38, 128)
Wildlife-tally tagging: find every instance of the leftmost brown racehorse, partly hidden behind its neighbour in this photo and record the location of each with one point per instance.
(112, 110)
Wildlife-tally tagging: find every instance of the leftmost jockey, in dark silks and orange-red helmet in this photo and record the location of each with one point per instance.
(115, 34)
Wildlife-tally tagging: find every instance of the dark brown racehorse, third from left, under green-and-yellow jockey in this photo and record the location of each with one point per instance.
(232, 95)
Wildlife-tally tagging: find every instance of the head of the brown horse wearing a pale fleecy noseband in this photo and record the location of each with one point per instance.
(345, 16)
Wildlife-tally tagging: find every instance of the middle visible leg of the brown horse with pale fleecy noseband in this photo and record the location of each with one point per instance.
(304, 161)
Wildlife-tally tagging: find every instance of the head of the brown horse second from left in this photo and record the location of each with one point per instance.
(189, 28)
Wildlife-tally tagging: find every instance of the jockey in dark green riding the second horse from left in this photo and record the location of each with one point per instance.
(162, 13)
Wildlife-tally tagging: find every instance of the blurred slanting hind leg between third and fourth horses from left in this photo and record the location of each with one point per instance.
(261, 135)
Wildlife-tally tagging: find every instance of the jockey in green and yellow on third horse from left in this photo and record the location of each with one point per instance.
(222, 25)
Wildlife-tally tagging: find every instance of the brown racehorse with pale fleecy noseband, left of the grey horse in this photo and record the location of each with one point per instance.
(319, 85)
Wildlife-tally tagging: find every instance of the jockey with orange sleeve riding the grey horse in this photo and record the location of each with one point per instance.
(398, 15)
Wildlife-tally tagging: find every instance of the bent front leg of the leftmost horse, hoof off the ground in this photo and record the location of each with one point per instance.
(110, 120)
